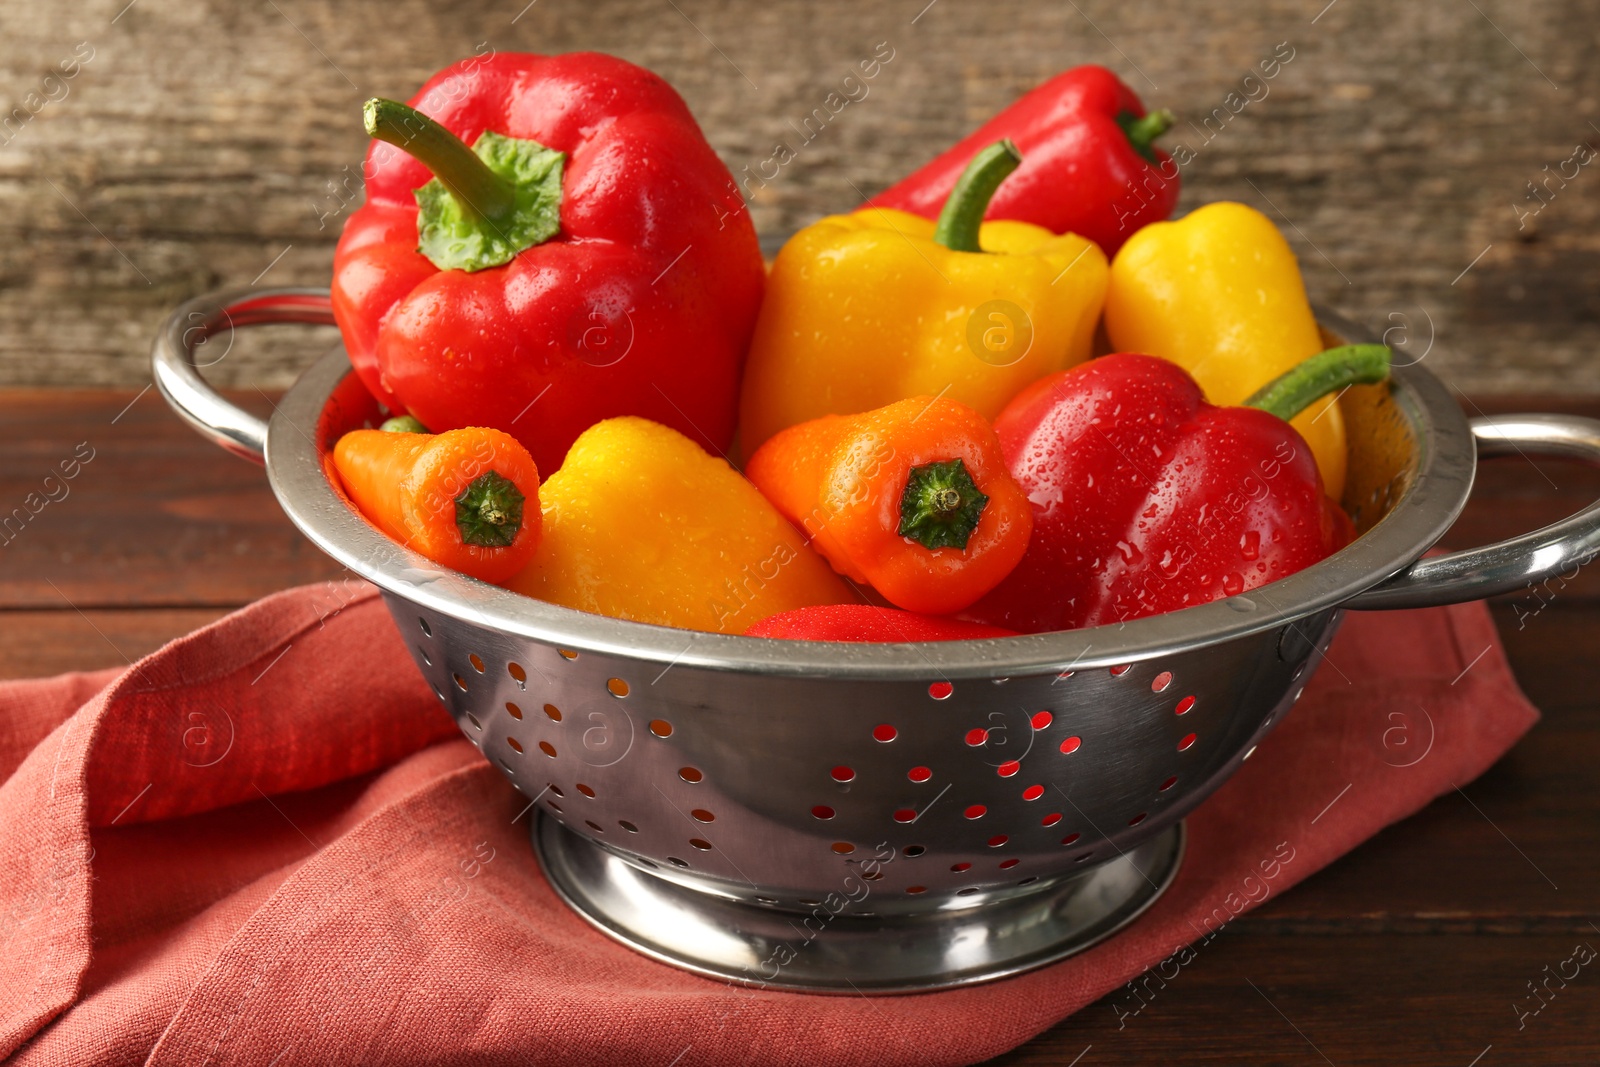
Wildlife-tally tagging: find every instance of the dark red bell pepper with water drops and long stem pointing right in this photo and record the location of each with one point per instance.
(1150, 500)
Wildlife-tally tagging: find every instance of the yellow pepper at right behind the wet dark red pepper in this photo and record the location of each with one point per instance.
(1220, 294)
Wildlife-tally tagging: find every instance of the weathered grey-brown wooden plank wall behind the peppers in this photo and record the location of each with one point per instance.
(209, 143)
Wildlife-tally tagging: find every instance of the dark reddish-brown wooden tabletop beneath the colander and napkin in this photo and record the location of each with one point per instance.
(1415, 949)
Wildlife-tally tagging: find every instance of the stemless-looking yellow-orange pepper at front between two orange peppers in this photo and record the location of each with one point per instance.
(642, 524)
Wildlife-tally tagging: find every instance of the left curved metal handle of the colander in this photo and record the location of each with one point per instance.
(177, 358)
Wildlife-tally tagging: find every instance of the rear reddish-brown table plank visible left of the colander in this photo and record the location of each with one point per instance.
(158, 516)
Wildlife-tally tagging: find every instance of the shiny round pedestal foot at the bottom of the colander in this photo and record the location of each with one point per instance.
(855, 953)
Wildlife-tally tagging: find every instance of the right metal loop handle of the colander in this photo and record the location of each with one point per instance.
(1521, 562)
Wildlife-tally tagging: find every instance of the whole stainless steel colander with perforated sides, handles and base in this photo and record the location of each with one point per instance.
(842, 818)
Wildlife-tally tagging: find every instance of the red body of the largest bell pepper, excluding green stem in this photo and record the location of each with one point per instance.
(642, 303)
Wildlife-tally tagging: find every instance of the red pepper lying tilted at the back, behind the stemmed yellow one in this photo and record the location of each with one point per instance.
(1089, 166)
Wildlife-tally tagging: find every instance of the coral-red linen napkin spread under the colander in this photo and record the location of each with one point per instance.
(266, 844)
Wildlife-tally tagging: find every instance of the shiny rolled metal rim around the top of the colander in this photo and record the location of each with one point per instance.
(1418, 519)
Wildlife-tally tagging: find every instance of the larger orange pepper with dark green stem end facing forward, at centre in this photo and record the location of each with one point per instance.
(913, 498)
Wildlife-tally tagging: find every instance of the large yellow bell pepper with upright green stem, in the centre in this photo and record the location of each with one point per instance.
(866, 310)
